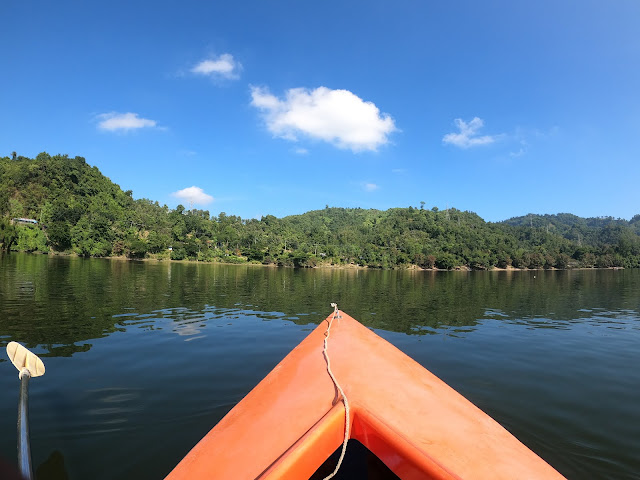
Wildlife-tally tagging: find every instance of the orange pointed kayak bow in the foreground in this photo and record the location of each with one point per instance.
(294, 419)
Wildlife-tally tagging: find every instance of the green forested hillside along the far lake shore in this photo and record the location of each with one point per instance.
(79, 210)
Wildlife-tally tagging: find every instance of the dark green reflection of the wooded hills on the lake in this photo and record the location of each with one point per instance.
(60, 303)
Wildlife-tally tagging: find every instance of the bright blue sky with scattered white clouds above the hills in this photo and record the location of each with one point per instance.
(502, 108)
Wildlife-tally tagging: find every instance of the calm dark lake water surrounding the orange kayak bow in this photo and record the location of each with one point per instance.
(144, 358)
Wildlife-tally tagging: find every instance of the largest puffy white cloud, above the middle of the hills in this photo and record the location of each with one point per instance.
(335, 116)
